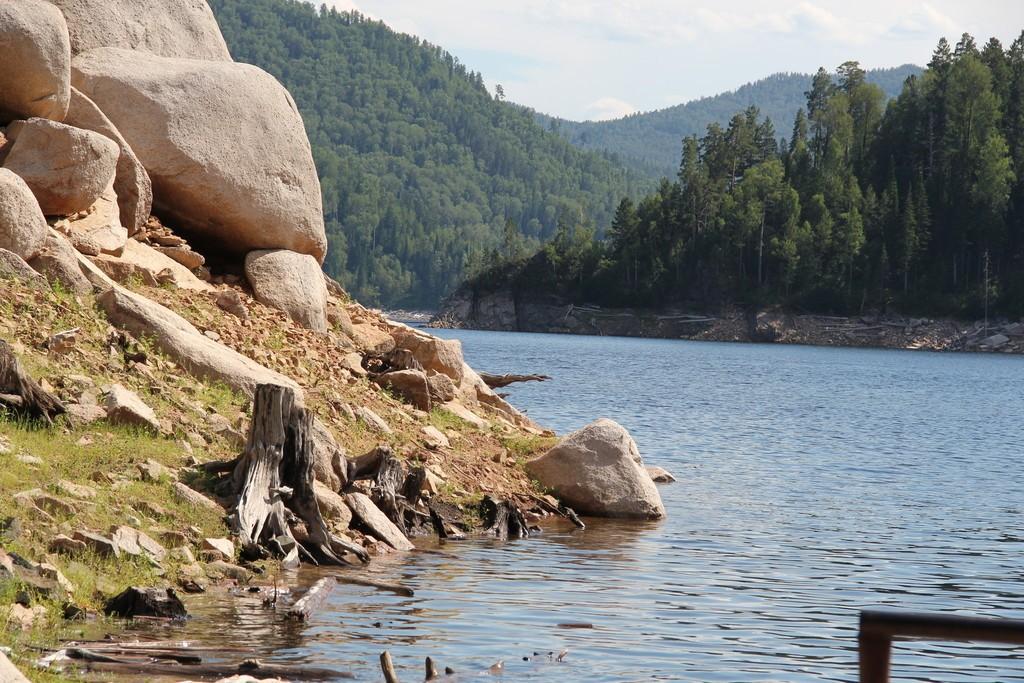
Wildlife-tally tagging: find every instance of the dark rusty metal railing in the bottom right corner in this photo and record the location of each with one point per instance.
(880, 629)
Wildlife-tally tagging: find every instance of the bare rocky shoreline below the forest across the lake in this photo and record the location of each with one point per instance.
(503, 312)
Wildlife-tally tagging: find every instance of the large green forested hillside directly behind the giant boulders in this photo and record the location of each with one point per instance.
(421, 168)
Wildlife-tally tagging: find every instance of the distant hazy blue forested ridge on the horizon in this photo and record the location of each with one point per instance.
(652, 142)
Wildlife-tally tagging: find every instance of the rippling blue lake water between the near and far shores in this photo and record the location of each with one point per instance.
(814, 483)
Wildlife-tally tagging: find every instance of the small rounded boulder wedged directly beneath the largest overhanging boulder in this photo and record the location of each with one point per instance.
(290, 282)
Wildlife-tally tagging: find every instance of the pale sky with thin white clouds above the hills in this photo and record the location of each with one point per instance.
(607, 59)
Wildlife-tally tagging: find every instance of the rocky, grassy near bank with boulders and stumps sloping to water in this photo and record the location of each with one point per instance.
(188, 404)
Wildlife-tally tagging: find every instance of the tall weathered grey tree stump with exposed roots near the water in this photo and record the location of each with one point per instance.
(275, 482)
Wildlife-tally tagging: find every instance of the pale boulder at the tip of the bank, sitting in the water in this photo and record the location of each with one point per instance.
(599, 472)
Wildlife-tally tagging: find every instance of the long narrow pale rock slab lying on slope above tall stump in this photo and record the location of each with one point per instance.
(181, 340)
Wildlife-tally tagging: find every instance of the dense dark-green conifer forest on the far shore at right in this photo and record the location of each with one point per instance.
(915, 207)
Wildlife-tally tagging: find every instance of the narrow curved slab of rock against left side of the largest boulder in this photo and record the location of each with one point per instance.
(132, 183)
